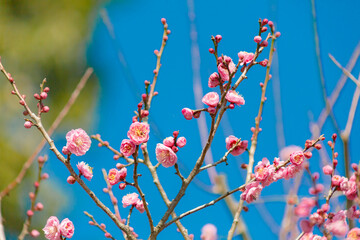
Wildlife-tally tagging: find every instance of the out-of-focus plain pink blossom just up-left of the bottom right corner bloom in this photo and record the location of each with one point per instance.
(337, 225)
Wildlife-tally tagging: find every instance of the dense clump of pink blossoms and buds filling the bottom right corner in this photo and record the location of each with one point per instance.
(329, 223)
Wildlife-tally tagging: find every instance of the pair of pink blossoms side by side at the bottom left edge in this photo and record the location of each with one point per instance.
(54, 230)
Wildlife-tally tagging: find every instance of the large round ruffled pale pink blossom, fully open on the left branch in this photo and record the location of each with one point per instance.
(78, 142)
